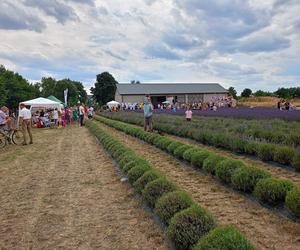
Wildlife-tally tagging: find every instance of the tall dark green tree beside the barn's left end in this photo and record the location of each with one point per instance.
(105, 88)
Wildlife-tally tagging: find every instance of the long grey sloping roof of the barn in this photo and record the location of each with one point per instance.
(169, 88)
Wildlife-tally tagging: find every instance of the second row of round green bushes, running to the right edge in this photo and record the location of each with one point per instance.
(245, 178)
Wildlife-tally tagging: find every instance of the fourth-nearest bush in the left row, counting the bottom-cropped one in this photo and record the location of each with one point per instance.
(155, 189)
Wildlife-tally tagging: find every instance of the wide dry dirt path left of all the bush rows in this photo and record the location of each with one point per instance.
(68, 195)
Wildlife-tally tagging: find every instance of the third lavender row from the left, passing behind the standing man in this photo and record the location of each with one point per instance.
(266, 151)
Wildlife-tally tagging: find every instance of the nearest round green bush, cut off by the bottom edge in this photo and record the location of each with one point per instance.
(224, 238)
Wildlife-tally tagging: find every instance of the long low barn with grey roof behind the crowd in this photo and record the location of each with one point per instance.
(160, 92)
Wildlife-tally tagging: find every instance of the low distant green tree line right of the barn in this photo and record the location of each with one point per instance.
(285, 93)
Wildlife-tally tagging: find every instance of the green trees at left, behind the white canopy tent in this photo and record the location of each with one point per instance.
(14, 89)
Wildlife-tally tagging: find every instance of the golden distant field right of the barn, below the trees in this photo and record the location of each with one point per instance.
(264, 101)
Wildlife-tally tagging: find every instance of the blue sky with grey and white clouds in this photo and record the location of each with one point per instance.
(241, 43)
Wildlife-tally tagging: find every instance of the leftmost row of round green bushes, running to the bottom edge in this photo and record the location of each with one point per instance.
(188, 224)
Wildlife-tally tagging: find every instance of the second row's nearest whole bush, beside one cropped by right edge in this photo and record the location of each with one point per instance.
(272, 191)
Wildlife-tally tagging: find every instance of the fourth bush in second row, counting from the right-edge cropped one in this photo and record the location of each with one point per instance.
(226, 168)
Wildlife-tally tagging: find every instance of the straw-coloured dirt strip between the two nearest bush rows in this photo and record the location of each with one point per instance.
(264, 228)
